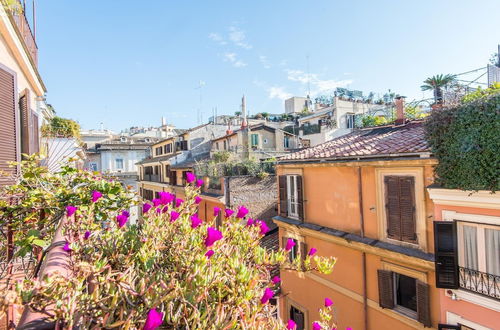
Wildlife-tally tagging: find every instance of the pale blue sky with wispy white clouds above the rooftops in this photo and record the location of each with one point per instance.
(128, 63)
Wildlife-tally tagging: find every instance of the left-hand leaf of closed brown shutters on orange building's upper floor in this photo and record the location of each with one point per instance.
(392, 207)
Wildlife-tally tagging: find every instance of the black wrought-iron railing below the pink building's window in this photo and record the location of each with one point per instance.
(487, 285)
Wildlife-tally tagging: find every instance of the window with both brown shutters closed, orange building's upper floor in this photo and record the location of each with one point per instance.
(400, 208)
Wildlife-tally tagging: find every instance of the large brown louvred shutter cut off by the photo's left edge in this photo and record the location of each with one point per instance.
(8, 129)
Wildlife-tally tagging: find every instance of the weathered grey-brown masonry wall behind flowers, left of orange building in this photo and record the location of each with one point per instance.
(260, 196)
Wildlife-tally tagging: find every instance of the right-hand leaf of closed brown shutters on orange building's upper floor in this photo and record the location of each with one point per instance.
(407, 208)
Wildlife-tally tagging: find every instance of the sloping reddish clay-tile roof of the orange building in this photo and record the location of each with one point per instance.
(386, 141)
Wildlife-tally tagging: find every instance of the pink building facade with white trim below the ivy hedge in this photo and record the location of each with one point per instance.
(467, 230)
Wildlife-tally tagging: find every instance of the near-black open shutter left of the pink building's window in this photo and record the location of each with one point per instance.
(445, 253)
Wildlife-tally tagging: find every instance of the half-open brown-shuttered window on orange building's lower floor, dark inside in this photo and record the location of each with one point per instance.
(405, 295)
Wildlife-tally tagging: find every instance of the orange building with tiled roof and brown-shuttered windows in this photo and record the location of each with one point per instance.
(362, 199)
